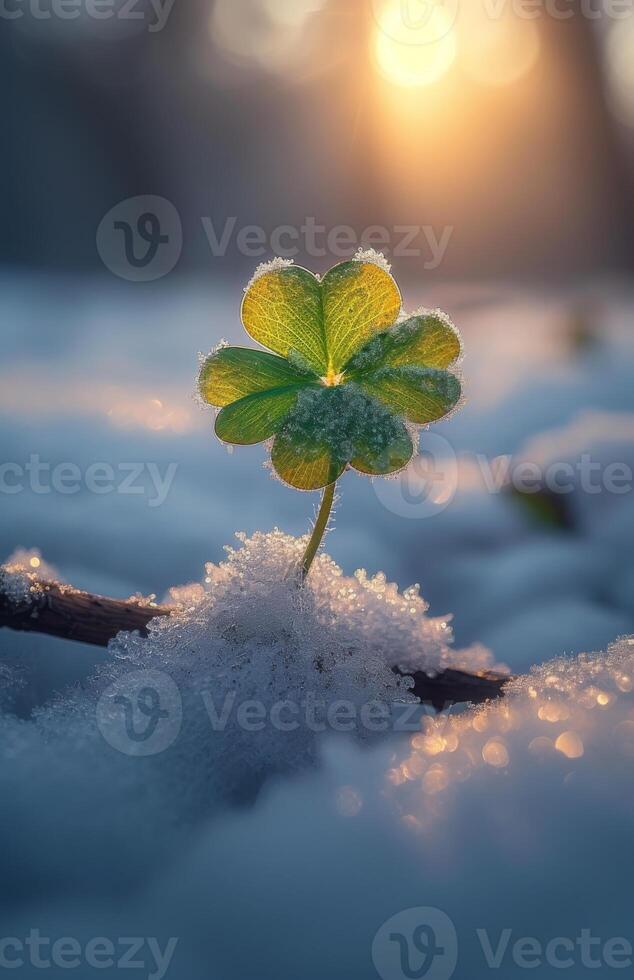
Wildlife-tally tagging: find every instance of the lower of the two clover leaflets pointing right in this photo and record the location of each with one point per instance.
(421, 395)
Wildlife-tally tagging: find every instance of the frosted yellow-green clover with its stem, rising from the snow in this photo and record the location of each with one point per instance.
(348, 380)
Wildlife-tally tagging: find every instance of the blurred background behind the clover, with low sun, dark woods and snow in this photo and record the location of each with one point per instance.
(158, 151)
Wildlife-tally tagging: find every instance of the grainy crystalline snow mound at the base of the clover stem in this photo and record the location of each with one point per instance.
(263, 668)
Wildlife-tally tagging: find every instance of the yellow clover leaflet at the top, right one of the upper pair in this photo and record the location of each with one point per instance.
(359, 300)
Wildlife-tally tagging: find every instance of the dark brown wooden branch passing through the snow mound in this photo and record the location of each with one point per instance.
(60, 610)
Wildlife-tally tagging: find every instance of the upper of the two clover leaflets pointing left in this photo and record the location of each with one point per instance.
(234, 372)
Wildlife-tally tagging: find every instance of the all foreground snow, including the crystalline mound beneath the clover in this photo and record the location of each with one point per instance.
(131, 810)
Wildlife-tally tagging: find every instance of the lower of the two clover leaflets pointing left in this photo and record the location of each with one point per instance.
(256, 417)
